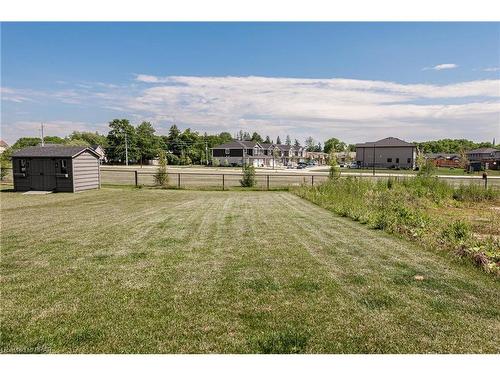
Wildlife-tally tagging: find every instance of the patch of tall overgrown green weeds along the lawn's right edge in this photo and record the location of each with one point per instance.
(402, 207)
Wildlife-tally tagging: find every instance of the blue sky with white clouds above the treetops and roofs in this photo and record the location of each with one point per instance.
(354, 81)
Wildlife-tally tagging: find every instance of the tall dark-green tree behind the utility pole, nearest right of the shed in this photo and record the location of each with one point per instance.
(122, 133)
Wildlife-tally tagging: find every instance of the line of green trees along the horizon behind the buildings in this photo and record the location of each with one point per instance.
(190, 147)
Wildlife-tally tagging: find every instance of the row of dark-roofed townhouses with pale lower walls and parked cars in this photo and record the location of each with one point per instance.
(261, 154)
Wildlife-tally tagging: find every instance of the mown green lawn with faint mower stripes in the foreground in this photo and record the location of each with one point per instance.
(155, 271)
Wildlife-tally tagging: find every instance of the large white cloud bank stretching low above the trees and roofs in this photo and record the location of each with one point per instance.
(353, 110)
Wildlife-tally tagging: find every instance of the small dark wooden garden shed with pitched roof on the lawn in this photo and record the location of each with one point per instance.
(56, 168)
